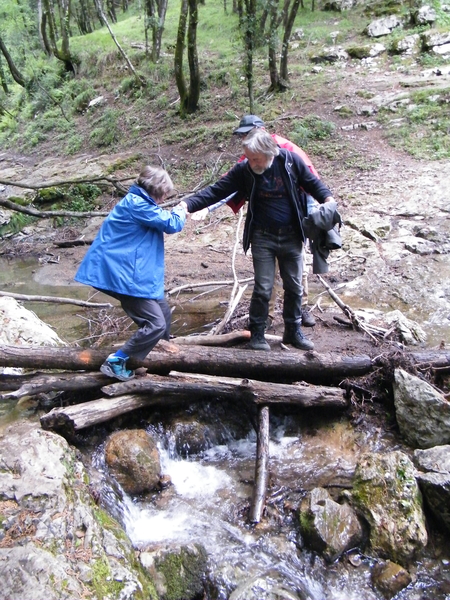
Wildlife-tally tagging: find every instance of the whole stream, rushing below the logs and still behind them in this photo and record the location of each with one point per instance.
(208, 500)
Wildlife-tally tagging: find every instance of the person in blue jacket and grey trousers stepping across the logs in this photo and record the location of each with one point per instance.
(126, 261)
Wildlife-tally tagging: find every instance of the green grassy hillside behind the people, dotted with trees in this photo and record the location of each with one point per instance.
(55, 118)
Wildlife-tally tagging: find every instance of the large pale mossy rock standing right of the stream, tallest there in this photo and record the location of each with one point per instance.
(386, 492)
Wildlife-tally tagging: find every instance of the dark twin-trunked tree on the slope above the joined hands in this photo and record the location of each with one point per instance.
(189, 97)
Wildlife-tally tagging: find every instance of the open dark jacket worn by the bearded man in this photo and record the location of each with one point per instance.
(297, 179)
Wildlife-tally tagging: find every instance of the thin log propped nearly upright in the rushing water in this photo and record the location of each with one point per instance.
(261, 466)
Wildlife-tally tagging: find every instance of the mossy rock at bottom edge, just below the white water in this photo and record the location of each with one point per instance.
(179, 572)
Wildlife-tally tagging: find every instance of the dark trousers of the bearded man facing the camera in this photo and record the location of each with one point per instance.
(287, 248)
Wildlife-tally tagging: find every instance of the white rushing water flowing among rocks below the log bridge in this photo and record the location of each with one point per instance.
(208, 504)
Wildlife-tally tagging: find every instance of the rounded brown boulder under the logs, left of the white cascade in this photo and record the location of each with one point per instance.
(133, 459)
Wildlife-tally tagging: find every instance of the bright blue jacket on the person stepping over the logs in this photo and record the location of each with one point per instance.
(127, 256)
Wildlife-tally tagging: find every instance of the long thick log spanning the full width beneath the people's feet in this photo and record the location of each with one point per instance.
(276, 366)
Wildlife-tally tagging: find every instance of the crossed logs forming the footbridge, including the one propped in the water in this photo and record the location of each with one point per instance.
(172, 373)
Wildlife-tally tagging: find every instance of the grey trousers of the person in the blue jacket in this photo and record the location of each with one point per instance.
(153, 317)
